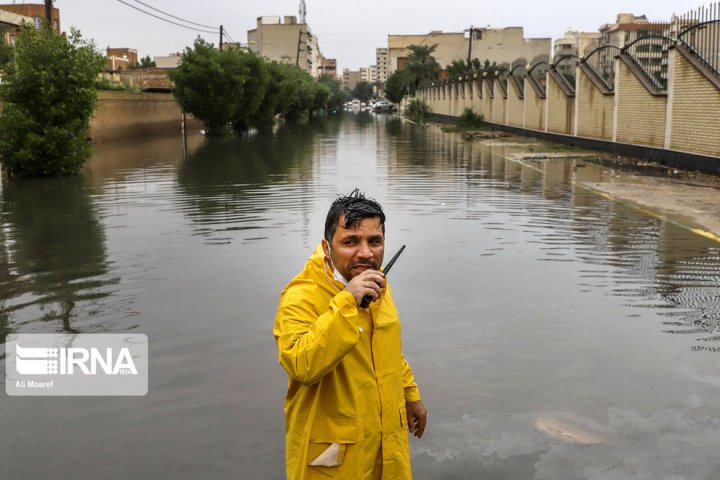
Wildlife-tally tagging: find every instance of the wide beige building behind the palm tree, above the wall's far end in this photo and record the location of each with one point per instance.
(500, 45)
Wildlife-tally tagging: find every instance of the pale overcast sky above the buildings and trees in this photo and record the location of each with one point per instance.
(347, 30)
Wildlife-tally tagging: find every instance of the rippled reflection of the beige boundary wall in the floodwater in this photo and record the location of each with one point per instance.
(642, 259)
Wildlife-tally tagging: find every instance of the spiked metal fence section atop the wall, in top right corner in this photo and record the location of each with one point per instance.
(699, 31)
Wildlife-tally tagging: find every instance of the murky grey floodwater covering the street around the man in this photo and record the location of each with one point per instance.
(555, 334)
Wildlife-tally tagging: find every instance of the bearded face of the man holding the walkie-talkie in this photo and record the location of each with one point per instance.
(357, 249)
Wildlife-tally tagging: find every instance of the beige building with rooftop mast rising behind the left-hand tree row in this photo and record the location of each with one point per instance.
(286, 42)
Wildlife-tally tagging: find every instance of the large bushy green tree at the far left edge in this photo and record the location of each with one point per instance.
(49, 97)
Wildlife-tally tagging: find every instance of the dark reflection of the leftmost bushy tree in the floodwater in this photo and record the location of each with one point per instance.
(54, 260)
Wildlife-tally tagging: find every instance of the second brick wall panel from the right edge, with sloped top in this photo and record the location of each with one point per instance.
(640, 115)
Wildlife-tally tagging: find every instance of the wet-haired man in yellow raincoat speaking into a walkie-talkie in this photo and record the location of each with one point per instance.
(351, 394)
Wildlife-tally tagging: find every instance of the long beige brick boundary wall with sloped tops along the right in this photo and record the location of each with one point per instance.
(678, 127)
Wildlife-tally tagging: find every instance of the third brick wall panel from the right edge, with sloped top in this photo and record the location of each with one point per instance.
(594, 110)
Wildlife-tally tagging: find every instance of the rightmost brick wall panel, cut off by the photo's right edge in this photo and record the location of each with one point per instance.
(696, 103)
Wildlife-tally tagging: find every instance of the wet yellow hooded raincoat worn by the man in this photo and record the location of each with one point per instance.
(347, 381)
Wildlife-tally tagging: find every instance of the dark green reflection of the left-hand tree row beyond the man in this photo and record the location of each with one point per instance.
(224, 182)
